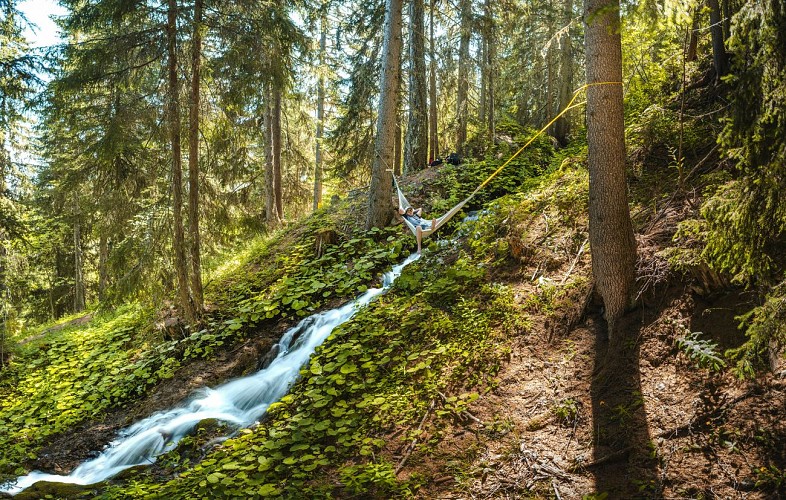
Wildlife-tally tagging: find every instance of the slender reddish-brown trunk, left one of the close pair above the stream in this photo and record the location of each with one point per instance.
(179, 250)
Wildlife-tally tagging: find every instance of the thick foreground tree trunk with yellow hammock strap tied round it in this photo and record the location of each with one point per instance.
(611, 232)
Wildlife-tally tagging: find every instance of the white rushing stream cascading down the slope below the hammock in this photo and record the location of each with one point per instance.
(240, 402)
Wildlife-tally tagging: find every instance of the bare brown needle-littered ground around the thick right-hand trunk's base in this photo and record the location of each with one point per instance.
(567, 422)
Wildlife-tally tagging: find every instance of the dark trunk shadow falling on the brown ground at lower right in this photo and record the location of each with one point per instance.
(623, 463)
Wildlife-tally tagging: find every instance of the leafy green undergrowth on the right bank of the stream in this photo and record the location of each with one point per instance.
(440, 330)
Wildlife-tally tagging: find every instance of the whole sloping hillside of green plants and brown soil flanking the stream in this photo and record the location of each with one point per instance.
(482, 373)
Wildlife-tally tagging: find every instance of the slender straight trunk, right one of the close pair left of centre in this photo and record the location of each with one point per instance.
(193, 161)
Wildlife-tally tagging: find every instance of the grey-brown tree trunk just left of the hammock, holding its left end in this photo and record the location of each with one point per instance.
(380, 191)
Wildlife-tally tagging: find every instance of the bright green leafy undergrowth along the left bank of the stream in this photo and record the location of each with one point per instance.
(74, 374)
